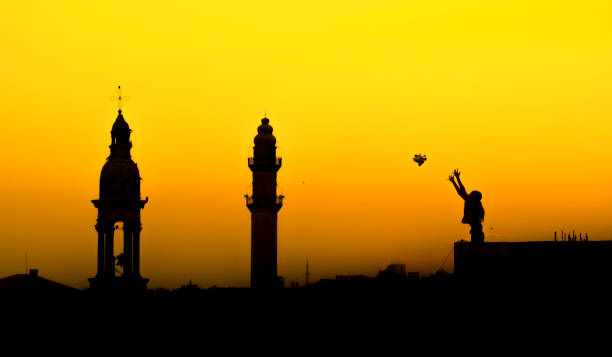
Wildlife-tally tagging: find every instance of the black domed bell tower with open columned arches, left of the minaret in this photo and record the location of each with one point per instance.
(119, 202)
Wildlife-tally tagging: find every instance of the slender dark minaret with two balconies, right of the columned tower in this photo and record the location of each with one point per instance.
(264, 205)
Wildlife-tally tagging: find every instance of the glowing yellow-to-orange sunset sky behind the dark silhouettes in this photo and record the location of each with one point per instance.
(514, 93)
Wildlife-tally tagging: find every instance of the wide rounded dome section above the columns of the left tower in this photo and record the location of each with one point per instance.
(120, 178)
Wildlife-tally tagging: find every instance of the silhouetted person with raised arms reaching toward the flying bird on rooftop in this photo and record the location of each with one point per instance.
(473, 212)
